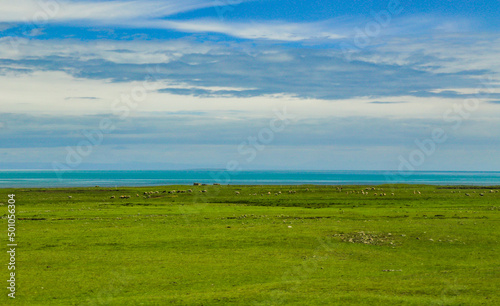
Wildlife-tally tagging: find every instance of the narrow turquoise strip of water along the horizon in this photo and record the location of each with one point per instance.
(33, 178)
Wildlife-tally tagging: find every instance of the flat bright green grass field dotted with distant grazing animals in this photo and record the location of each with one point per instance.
(317, 245)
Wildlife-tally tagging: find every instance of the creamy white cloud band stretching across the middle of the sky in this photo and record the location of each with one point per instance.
(50, 92)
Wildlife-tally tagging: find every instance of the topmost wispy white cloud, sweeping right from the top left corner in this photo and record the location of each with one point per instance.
(154, 14)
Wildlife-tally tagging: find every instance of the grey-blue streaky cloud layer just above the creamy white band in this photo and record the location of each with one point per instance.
(305, 73)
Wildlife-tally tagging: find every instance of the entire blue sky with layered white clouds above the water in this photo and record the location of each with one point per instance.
(189, 84)
